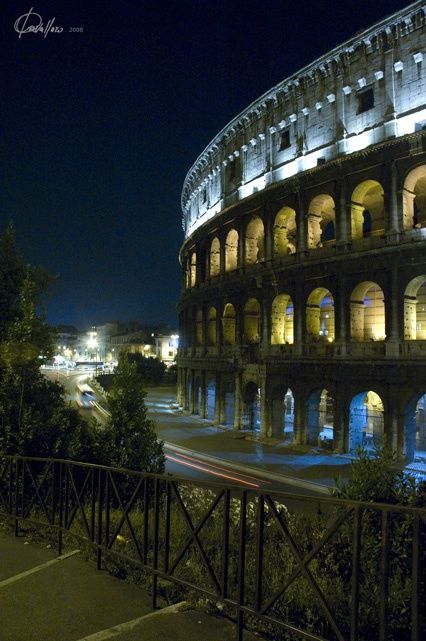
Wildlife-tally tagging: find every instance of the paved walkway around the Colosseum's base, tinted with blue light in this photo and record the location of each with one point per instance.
(307, 466)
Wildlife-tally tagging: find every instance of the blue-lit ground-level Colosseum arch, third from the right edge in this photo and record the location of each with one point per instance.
(320, 414)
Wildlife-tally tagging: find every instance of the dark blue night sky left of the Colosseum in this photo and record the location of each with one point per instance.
(99, 128)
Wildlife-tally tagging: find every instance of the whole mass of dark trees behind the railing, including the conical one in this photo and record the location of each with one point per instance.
(35, 419)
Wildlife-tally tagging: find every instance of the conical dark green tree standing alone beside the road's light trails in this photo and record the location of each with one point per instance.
(130, 440)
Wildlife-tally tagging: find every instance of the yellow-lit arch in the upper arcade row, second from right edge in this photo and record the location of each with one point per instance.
(367, 209)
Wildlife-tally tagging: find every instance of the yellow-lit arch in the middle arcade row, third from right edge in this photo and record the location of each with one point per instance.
(320, 315)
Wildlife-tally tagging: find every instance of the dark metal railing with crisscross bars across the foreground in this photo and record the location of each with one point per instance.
(302, 567)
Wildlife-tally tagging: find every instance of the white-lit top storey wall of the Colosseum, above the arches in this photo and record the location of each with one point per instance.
(370, 89)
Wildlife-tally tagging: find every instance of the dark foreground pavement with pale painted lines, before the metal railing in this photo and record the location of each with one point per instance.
(45, 597)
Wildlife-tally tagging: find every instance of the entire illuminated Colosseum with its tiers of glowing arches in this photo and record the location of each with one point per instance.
(303, 310)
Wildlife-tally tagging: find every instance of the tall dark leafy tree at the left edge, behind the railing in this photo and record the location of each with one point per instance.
(35, 420)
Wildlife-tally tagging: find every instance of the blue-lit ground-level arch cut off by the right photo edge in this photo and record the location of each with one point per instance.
(415, 430)
